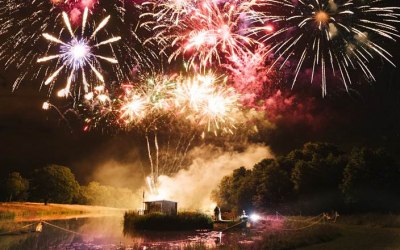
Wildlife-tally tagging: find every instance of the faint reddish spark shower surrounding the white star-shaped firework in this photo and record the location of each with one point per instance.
(23, 22)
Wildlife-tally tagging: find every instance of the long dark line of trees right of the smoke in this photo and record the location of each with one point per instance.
(315, 178)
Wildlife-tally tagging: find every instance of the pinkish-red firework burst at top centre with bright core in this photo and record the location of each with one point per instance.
(204, 32)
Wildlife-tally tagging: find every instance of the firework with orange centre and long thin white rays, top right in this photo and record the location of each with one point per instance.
(329, 35)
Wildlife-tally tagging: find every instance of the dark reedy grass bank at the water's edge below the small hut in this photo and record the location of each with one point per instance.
(158, 222)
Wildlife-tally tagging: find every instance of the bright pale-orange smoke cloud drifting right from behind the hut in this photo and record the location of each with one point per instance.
(192, 187)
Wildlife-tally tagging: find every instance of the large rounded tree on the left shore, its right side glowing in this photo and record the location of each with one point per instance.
(54, 183)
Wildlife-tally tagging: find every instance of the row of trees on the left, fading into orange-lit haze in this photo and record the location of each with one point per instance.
(57, 184)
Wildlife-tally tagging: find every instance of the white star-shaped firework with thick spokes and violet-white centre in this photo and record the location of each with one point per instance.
(78, 54)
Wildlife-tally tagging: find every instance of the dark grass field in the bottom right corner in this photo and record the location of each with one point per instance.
(355, 232)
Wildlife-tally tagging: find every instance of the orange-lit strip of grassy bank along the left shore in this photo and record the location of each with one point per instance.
(31, 211)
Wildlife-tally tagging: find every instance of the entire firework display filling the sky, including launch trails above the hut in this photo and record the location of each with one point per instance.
(161, 65)
